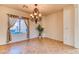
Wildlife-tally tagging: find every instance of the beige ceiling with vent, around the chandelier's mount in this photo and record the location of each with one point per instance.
(45, 9)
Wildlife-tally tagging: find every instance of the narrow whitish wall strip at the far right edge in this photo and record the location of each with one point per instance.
(76, 32)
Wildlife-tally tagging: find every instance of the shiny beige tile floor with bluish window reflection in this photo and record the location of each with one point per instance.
(38, 46)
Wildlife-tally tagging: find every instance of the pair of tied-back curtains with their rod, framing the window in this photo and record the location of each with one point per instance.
(11, 22)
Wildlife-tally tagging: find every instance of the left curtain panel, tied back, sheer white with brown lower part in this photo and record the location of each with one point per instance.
(11, 21)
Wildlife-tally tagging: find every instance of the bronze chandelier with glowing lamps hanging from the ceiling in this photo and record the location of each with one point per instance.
(36, 15)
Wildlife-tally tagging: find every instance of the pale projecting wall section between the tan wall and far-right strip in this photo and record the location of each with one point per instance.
(68, 22)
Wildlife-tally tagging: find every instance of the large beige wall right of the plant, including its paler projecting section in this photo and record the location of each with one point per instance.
(60, 25)
